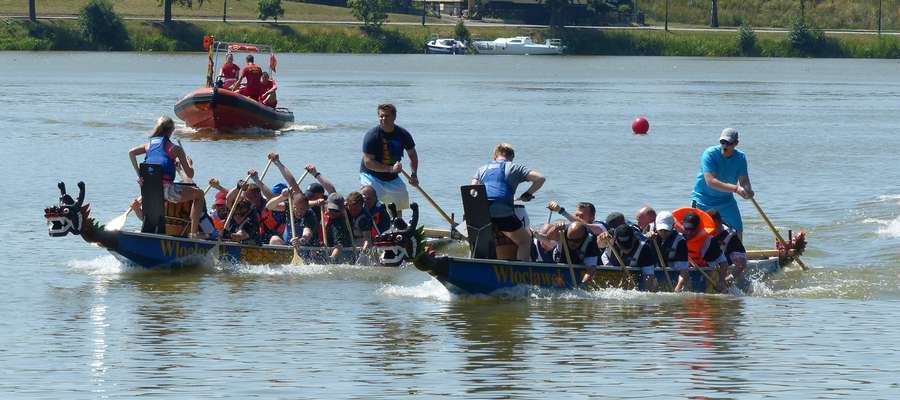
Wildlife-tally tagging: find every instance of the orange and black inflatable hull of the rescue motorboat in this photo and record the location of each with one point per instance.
(222, 109)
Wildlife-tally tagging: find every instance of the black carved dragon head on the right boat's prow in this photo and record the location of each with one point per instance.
(402, 241)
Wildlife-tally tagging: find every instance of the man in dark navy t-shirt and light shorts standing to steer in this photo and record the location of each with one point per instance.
(383, 148)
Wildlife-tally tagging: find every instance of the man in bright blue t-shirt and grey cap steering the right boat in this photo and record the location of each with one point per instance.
(723, 171)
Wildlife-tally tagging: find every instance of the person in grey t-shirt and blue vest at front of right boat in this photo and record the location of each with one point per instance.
(500, 178)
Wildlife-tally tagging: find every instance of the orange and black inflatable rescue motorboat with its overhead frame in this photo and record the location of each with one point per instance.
(214, 107)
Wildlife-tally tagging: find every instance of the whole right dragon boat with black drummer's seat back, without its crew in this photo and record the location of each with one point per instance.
(483, 273)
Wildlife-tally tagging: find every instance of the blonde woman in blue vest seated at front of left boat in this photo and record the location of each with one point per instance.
(160, 150)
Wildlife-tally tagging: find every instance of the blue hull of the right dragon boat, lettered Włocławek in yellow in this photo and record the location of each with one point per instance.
(483, 276)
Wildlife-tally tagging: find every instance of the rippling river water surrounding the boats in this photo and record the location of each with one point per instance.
(820, 136)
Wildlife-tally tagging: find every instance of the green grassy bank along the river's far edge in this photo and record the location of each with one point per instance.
(187, 36)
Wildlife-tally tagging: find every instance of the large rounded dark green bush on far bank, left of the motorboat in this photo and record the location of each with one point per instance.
(101, 26)
